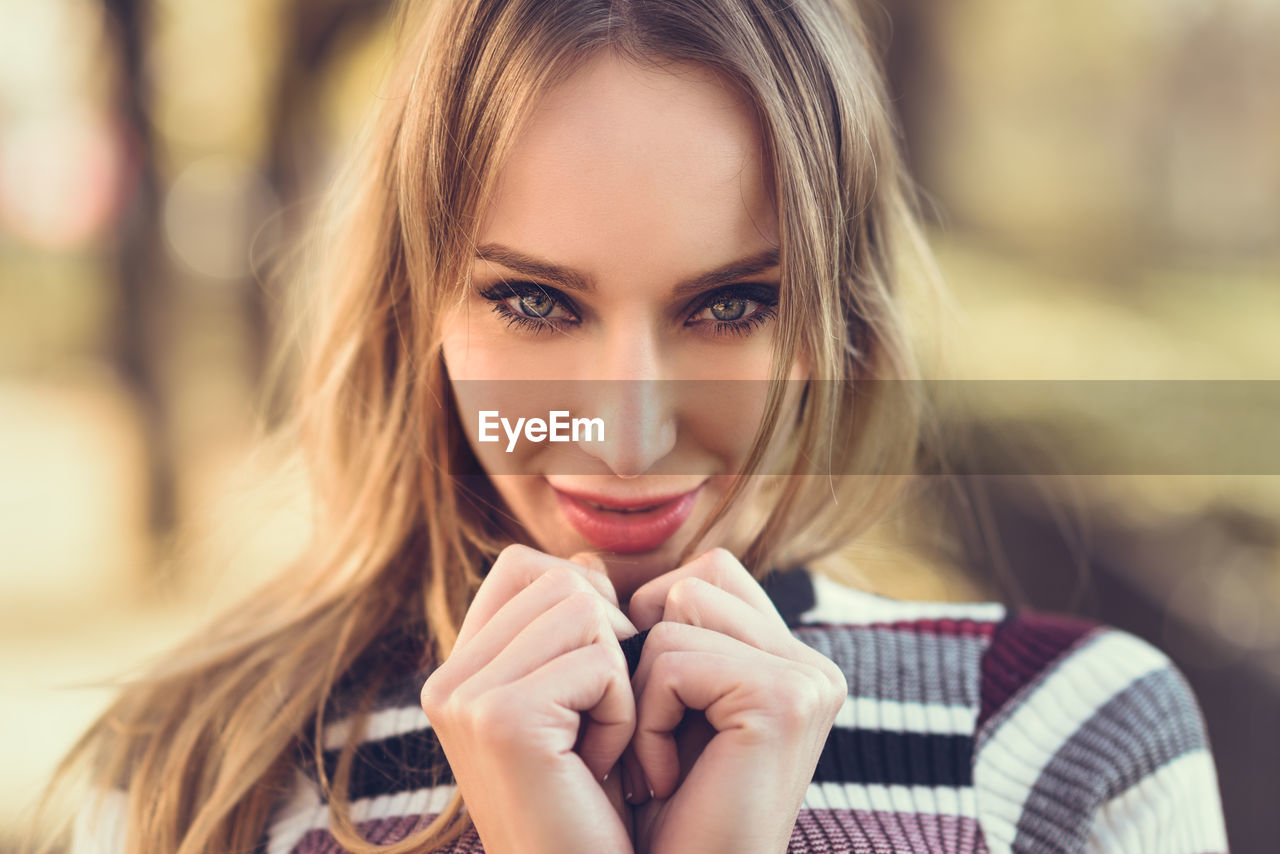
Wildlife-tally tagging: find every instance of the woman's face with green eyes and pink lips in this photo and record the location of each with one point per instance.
(628, 272)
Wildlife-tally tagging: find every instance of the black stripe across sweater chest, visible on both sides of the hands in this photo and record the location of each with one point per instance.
(417, 761)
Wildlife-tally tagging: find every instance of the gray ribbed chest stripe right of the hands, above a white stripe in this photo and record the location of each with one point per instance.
(903, 665)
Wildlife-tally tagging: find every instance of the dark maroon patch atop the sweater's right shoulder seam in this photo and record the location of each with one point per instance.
(1025, 646)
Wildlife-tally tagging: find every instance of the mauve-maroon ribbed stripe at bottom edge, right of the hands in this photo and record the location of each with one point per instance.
(889, 833)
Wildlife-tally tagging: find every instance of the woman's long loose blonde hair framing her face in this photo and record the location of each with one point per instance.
(205, 745)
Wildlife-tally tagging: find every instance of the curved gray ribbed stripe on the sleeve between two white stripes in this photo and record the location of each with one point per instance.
(1151, 723)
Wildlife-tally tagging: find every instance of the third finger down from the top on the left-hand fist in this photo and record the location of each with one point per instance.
(575, 622)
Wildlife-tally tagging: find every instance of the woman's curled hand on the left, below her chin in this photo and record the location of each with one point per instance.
(534, 707)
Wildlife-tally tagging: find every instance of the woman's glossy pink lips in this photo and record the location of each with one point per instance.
(627, 527)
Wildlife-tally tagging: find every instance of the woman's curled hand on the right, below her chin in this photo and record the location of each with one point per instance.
(757, 707)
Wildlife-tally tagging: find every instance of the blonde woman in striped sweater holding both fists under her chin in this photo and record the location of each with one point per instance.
(679, 223)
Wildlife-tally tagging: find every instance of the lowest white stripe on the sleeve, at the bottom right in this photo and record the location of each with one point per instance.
(1176, 810)
